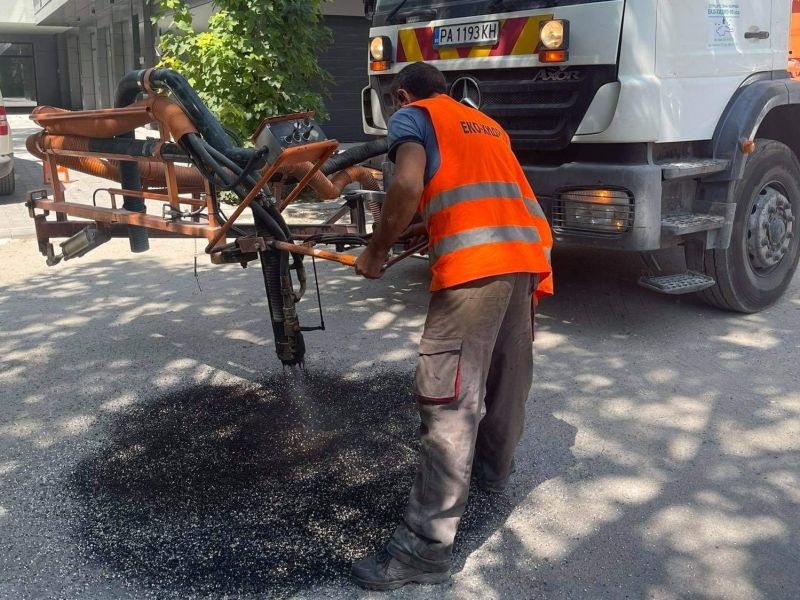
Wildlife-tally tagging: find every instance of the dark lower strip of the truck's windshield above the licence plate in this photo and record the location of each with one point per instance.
(402, 11)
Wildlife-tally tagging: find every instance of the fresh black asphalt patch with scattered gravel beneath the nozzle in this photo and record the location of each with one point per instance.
(263, 489)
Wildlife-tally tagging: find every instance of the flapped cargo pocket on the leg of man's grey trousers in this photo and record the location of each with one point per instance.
(438, 374)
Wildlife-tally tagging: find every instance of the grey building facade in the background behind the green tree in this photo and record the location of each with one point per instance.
(72, 53)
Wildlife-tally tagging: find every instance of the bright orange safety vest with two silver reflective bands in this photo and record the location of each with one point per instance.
(481, 214)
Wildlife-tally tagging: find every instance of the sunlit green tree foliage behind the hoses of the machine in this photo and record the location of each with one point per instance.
(258, 58)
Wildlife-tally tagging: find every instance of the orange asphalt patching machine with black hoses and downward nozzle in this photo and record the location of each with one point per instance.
(184, 170)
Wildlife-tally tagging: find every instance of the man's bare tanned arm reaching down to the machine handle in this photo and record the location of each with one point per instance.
(399, 207)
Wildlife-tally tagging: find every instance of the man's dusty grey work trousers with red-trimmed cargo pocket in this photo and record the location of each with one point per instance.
(472, 381)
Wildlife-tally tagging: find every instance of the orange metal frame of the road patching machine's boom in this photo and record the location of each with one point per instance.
(114, 220)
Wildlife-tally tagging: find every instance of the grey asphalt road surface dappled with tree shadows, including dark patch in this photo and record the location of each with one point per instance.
(151, 446)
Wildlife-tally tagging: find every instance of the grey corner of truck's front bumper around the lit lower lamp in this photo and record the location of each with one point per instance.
(642, 183)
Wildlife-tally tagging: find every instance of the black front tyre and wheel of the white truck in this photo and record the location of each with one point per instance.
(757, 267)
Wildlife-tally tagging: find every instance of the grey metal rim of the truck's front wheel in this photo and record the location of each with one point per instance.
(770, 229)
